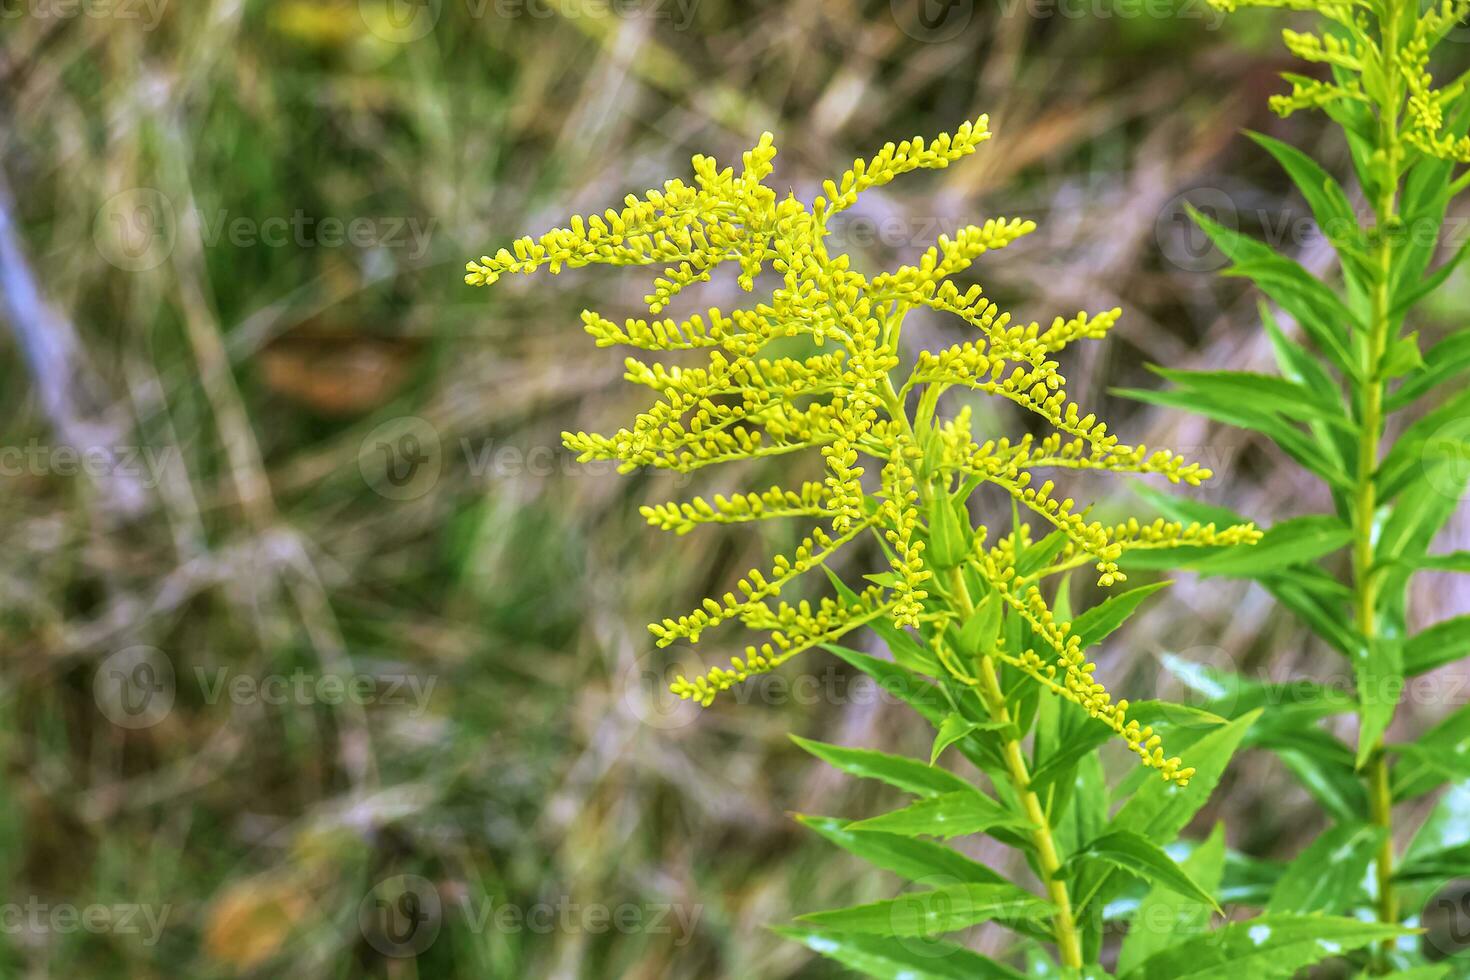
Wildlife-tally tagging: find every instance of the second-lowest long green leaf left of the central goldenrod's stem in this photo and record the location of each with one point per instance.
(934, 913)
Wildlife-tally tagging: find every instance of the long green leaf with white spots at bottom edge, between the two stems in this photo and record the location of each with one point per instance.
(1262, 948)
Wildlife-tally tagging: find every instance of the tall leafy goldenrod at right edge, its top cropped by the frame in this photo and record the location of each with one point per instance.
(1359, 371)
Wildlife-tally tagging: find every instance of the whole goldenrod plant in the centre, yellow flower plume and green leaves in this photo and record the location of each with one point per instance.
(978, 622)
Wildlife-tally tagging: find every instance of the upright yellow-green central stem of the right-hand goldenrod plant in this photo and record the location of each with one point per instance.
(1365, 583)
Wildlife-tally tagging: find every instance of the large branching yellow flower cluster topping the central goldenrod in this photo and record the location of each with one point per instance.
(840, 399)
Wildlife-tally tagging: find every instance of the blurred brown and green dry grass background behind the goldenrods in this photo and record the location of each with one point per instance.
(258, 436)
